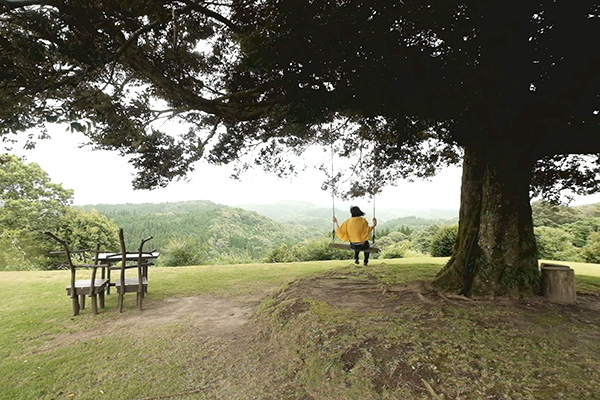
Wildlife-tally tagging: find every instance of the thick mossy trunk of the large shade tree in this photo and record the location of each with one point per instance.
(495, 252)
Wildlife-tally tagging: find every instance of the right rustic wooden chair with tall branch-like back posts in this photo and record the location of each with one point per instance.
(139, 284)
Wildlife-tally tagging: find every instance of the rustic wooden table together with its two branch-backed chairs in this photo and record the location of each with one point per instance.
(95, 287)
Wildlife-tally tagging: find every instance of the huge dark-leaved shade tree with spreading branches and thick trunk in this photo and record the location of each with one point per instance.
(512, 90)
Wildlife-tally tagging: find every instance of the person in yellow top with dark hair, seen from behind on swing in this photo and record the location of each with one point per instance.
(357, 231)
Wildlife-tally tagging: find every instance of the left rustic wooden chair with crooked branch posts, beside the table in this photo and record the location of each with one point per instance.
(78, 289)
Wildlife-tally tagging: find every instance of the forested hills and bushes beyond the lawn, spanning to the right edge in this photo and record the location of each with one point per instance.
(201, 232)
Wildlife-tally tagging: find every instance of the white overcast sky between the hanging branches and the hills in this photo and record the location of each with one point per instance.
(105, 177)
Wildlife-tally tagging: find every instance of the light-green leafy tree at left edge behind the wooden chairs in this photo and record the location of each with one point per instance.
(31, 204)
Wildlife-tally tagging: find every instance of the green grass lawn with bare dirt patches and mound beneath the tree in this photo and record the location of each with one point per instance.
(314, 330)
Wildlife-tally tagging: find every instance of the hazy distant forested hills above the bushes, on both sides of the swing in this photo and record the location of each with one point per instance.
(215, 233)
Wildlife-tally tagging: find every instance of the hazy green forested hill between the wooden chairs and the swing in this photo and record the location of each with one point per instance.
(222, 233)
